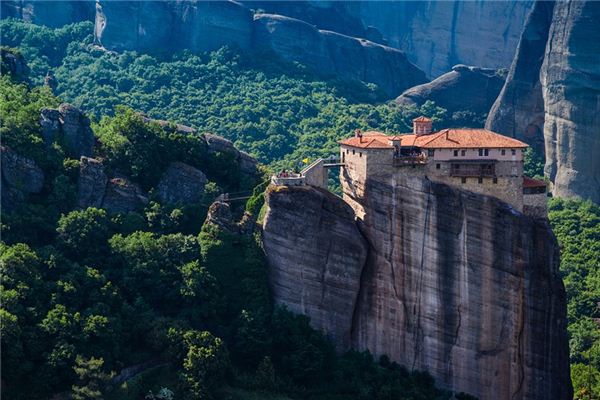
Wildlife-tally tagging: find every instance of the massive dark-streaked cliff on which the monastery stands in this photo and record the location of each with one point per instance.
(454, 283)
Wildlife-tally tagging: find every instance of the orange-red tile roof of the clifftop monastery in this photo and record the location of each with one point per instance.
(444, 139)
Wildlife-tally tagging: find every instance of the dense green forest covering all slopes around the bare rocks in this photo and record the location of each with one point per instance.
(88, 295)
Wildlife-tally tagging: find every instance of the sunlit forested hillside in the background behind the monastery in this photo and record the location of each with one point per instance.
(274, 110)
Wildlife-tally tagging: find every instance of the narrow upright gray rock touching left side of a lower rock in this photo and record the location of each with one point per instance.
(92, 183)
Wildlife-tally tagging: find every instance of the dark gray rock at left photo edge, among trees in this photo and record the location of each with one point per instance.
(20, 177)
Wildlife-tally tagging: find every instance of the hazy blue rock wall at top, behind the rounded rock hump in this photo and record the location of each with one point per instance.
(435, 35)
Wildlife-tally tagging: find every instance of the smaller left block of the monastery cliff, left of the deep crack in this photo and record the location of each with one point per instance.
(316, 255)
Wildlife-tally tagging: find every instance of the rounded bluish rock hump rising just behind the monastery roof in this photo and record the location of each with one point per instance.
(462, 89)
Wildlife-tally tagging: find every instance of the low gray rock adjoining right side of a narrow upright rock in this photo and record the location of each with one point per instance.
(123, 196)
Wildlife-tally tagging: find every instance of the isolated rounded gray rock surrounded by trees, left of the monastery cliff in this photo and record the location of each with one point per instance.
(181, 184)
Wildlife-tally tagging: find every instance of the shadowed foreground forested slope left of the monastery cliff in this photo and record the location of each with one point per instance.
(150, 302)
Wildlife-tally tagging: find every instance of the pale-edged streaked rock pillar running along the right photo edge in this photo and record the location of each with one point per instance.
(570, 80)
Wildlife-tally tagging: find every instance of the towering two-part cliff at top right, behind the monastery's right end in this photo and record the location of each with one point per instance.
(552, 94)
